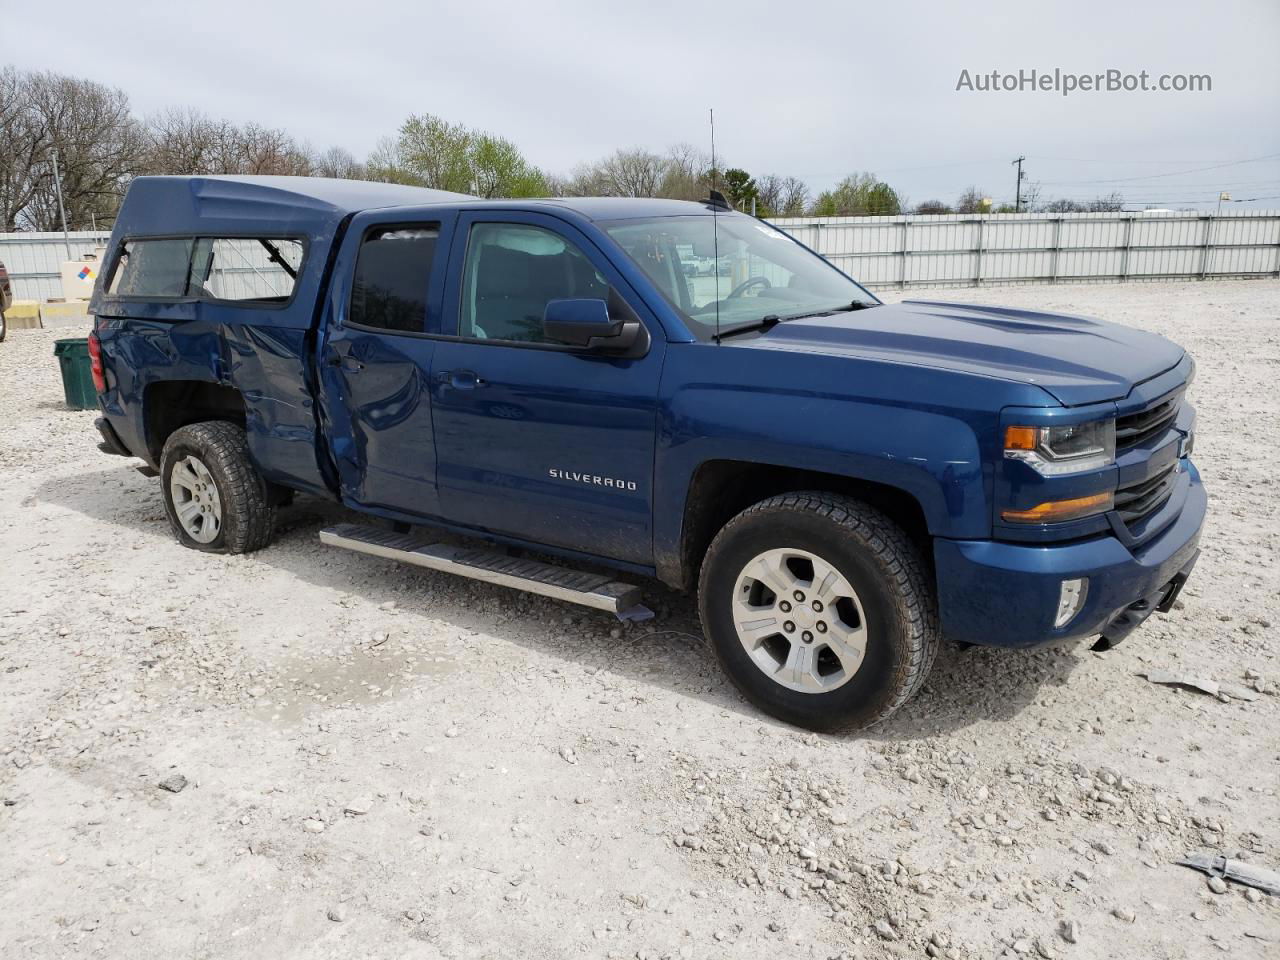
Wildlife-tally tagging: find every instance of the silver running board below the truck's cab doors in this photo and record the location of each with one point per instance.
(587, 589)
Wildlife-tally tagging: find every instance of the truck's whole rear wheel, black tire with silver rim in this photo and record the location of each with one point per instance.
(214, 496)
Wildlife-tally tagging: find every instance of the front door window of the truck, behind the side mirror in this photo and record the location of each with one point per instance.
(510, 275)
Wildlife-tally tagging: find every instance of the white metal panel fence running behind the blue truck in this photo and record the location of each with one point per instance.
(921, 252)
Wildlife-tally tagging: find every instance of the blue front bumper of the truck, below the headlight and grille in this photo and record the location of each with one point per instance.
(1005, 595)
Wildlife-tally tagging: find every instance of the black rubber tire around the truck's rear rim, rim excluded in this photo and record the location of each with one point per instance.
(246, 508)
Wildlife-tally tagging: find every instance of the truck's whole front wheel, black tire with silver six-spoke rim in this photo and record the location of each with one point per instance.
(820, 610)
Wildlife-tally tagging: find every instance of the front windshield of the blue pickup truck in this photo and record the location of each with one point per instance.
(760, 273)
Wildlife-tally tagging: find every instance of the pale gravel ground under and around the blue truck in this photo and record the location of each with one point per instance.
(309, 753)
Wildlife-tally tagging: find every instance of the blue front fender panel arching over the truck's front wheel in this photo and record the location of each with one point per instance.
(833, 415)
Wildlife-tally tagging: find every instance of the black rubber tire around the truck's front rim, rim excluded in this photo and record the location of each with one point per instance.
(877, 560)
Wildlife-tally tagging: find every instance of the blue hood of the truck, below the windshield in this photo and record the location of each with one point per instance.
(1075, 359)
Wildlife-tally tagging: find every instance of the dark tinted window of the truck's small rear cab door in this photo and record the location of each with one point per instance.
(394, 276)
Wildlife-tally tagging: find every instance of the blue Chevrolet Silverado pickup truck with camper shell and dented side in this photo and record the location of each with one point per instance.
(843, 482)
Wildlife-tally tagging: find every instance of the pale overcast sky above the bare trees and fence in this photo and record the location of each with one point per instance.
(801, 88)
